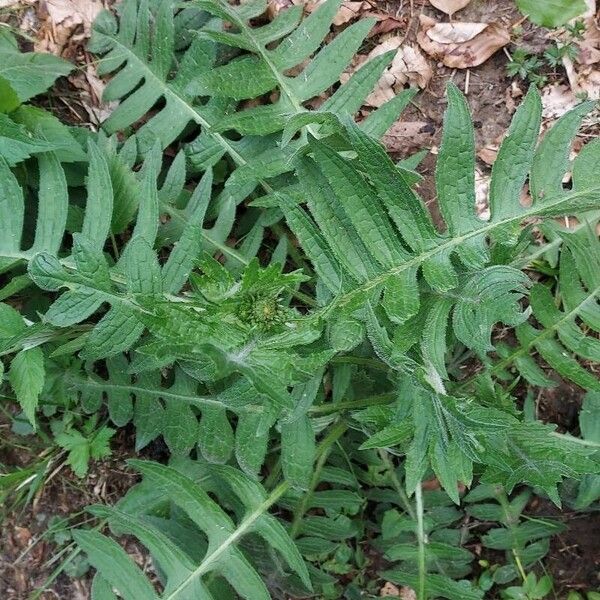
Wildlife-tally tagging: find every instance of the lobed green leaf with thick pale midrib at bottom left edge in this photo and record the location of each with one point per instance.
(223, 558)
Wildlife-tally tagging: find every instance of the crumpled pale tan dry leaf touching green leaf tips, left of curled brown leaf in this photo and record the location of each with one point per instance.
(409, 66)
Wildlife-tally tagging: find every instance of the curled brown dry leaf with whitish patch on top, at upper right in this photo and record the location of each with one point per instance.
(461, 45)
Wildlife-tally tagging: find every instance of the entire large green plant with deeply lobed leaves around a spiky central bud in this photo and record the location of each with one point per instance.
(191, 339)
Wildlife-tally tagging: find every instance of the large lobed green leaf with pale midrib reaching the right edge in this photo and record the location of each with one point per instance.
(371, 254)
